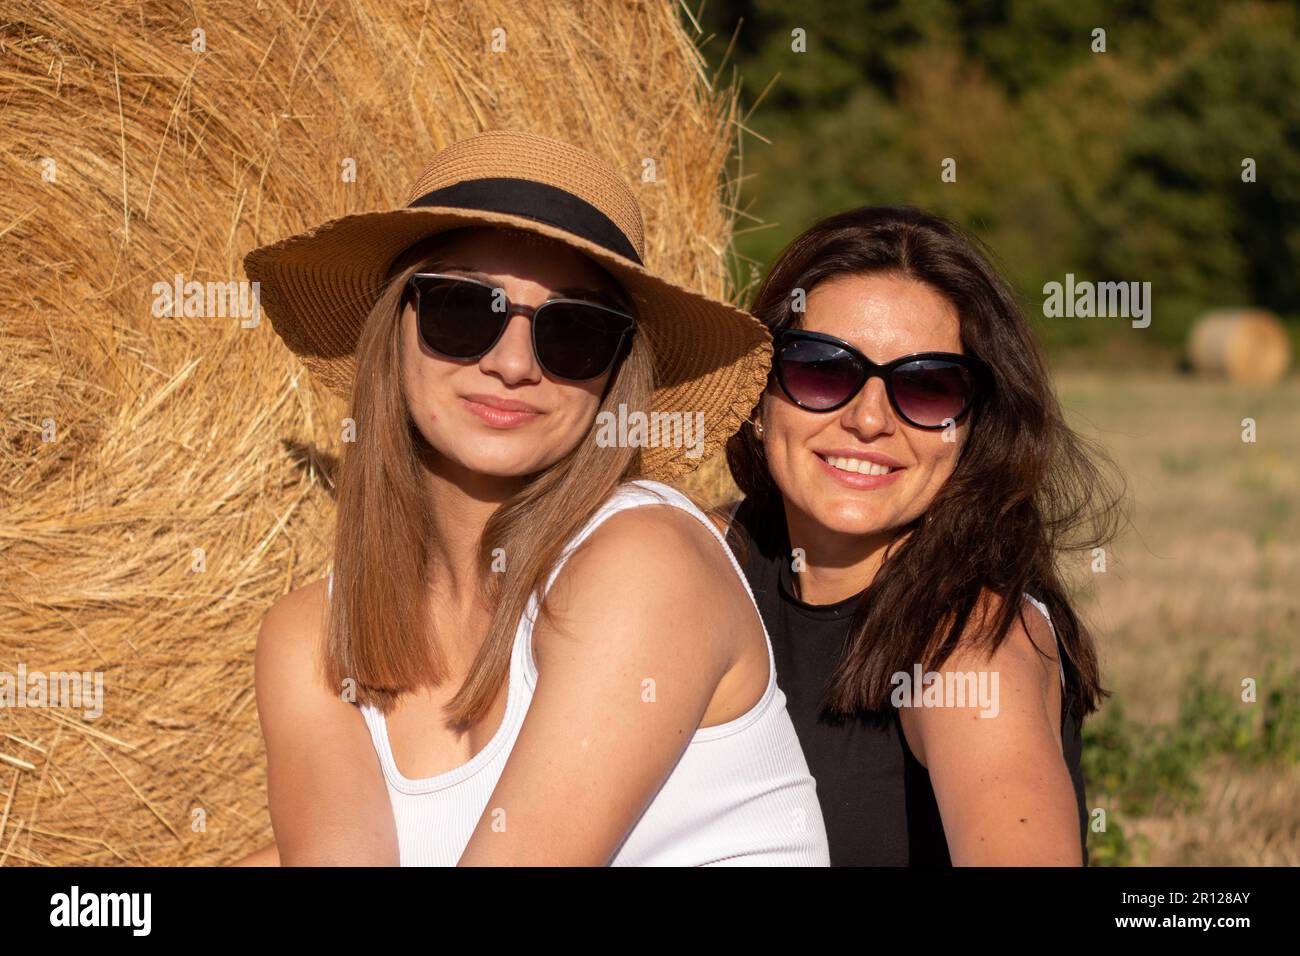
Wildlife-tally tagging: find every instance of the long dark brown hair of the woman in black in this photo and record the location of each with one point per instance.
(1026, 490)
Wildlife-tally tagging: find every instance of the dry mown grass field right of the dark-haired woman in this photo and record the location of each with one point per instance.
(1201, 592)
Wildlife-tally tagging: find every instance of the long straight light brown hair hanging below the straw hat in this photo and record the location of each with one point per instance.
(378, 625)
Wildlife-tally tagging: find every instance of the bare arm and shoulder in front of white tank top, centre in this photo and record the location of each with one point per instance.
(651, 613)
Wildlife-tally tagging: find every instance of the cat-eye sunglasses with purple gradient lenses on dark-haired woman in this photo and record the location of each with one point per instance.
(926, 390)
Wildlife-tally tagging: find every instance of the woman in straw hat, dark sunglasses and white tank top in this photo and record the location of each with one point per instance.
(530, 650)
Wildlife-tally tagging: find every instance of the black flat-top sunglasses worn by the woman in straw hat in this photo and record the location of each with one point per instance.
(462, 318)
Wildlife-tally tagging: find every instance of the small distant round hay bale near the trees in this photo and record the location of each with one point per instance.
(1245, 345)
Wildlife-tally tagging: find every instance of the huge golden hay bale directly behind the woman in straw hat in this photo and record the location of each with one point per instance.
(166, 479)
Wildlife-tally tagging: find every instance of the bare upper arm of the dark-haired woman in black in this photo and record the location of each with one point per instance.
(1003, 786)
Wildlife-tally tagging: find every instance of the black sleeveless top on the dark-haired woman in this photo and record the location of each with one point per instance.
(877, 798)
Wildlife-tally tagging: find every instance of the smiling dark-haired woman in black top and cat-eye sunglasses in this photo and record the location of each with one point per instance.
(909, 488)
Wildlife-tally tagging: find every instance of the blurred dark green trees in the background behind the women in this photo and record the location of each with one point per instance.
(1164, 150)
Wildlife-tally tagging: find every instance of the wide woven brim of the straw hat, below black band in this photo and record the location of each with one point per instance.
(319, 287)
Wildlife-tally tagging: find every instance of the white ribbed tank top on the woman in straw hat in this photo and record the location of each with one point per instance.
(740, 794)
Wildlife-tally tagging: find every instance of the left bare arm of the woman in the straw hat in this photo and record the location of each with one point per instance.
(328, 802)
